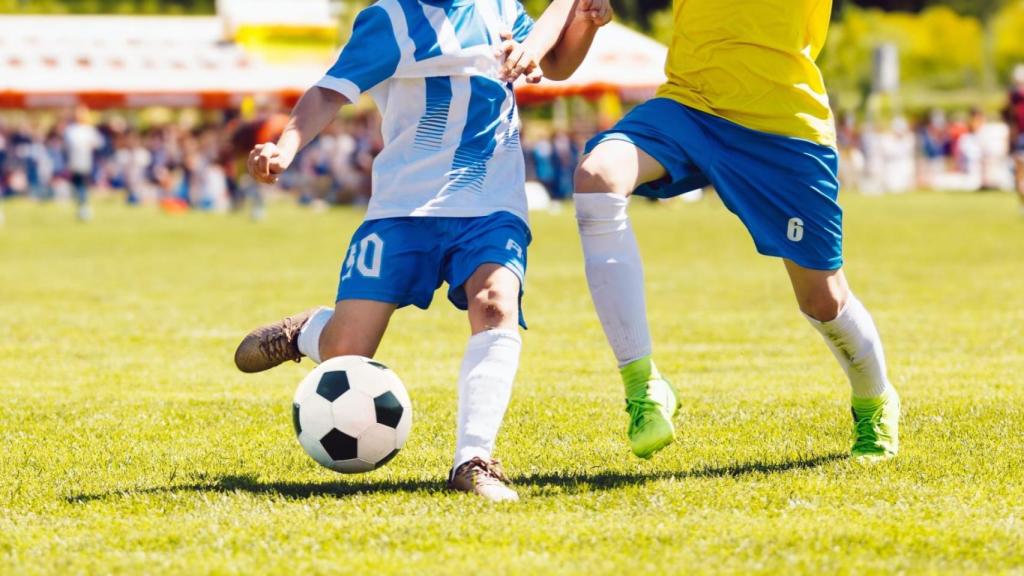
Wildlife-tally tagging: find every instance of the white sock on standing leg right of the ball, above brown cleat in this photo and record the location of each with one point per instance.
(485, 390)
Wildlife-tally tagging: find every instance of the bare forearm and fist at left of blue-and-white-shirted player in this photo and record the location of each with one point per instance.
(316, 110)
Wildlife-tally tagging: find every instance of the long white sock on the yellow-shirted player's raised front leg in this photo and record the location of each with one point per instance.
(615, 273)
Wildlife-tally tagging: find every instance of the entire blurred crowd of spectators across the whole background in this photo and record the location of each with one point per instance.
(189, 164)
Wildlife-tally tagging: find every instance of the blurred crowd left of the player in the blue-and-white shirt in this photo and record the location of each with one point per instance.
(181, 164)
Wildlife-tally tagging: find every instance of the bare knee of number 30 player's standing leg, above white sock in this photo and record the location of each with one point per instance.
(493, 294)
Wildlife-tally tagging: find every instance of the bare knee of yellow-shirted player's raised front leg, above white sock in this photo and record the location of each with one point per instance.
(617, 167)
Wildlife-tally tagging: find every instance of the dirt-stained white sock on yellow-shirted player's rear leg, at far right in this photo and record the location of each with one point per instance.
(856, 342)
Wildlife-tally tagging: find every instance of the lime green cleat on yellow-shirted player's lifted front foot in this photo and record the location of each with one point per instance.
(651, 402)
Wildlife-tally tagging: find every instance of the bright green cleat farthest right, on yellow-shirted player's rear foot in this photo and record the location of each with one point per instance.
(876, 427)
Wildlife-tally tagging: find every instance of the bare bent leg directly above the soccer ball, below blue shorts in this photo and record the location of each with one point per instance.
(356, 330)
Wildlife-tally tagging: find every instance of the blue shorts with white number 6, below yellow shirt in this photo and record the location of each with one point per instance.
(783, 189)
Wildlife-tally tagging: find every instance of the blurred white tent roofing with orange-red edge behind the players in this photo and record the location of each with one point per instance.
(133, 62)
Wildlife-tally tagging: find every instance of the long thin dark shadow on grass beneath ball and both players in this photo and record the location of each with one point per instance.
(567, 480)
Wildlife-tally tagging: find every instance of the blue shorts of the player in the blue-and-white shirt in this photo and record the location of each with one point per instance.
(405, 261)
